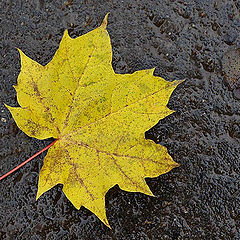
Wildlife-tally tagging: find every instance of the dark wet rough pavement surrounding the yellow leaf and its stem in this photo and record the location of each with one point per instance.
(193, 40)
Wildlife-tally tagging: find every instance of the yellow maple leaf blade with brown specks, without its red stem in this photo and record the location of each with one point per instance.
(99, 118)
